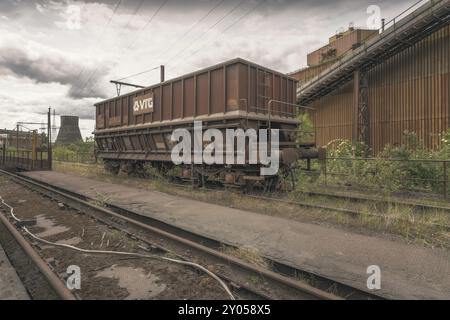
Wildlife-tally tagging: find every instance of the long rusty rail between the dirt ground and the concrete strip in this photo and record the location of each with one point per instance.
(273, 281)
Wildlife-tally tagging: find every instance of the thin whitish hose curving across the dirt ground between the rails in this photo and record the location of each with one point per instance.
(120, 253)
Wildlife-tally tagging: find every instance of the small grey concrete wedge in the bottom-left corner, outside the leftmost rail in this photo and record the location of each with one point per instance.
(11, 288)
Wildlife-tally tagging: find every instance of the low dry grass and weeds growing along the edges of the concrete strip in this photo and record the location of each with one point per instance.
(392, 220)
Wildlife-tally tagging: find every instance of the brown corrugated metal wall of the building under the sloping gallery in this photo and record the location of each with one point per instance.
(410, 91)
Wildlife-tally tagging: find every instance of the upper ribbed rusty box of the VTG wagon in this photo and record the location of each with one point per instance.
(236, 85)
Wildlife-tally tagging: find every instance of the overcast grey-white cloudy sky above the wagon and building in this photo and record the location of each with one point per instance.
(63, 53)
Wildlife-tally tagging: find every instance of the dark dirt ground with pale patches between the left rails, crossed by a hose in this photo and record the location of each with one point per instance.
(104, 276)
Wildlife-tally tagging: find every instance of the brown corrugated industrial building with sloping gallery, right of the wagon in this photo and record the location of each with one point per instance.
(371, 86)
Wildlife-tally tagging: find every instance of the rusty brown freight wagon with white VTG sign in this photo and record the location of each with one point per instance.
(135, 129)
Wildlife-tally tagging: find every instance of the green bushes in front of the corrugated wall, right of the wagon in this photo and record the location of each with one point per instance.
(407, 167)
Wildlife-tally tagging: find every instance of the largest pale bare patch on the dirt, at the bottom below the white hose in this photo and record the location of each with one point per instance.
(138, 283)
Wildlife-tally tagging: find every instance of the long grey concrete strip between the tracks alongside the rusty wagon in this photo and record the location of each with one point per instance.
(407, 271)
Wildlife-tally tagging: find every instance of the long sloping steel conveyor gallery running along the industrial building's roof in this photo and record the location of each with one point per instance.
(397, 36)
